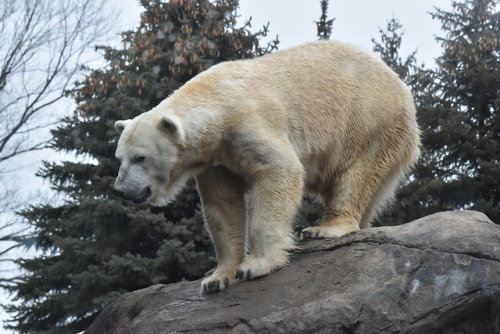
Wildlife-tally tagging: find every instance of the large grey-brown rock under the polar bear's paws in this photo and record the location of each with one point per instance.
(438, 274)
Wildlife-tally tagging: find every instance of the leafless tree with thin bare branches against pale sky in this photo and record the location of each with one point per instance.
(44, 44)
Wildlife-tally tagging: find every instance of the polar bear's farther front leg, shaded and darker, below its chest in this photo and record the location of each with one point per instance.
(222, 196)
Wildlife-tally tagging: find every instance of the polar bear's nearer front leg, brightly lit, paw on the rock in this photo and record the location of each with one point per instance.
(273, 199)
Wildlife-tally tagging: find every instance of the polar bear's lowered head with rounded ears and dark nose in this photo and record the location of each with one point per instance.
(148, 150)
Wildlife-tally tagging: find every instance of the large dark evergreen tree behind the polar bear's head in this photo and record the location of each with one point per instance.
(94, 246)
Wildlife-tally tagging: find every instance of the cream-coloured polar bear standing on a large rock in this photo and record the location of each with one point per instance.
(324, 117)
